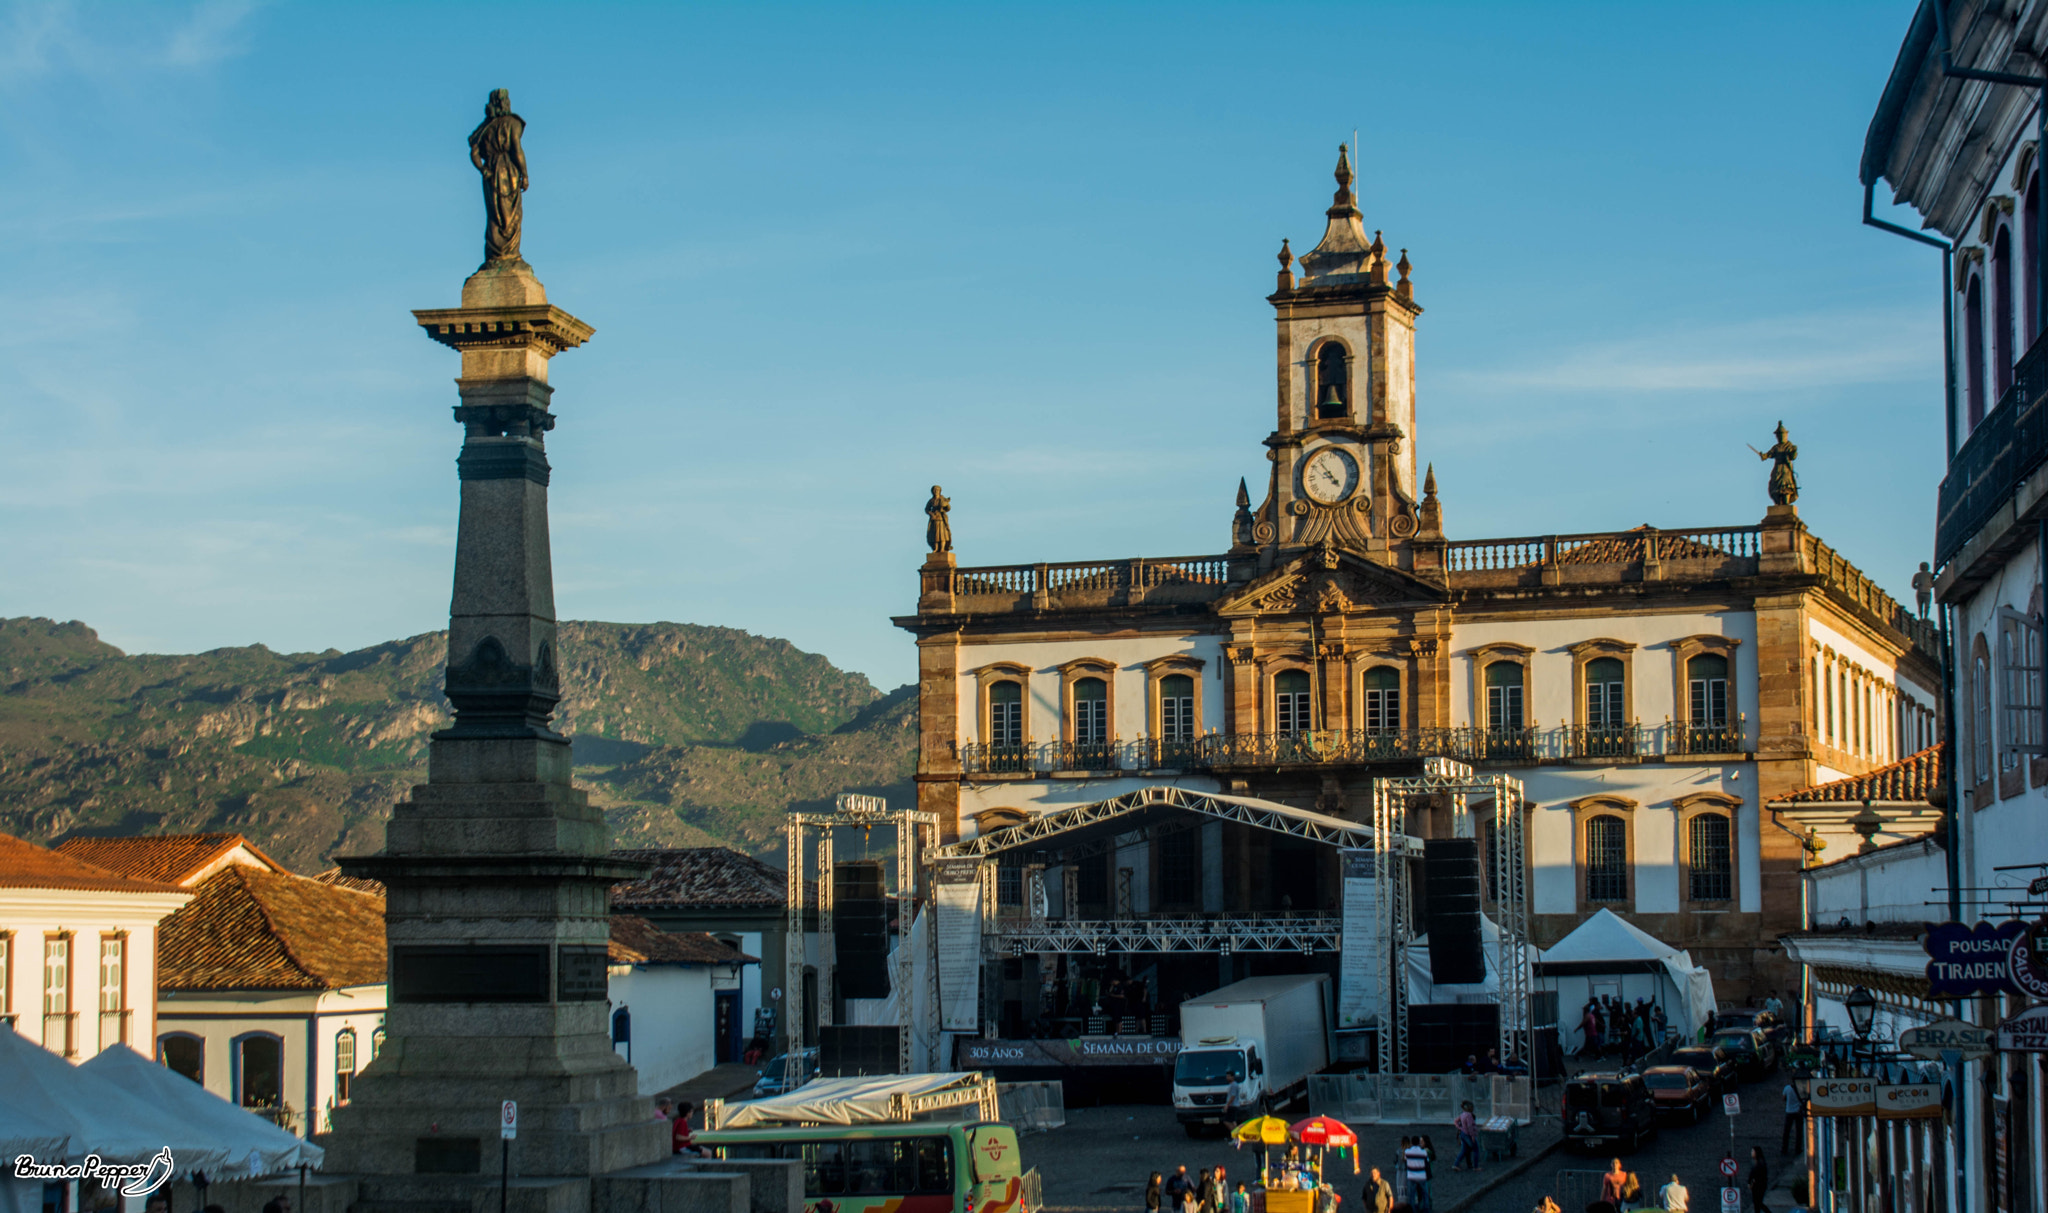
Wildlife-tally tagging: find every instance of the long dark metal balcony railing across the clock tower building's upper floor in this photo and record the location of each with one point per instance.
(1361, 747)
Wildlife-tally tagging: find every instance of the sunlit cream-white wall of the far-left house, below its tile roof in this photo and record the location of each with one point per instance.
(34, 915)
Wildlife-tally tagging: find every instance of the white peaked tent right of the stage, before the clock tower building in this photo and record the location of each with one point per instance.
(1611, 956)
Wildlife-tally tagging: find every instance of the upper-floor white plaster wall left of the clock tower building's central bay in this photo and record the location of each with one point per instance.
(1129, 655)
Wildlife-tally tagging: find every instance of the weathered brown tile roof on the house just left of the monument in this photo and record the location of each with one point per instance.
(253, 929)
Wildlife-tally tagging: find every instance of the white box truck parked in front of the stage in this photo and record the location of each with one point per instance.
(1250, 1048)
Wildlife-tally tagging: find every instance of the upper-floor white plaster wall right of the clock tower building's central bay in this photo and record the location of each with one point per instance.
(1654, 669)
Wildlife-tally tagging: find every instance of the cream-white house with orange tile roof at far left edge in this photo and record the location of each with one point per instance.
(79, 950)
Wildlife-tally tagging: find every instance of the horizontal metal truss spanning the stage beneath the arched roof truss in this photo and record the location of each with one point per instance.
(1238, 933)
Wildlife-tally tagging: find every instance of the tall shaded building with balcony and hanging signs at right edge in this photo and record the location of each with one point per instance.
(1963, 149)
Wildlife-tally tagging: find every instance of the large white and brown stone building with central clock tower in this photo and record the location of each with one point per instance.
(1650, 687)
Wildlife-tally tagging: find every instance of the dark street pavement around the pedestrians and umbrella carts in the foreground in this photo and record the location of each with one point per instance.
(1101, 1161)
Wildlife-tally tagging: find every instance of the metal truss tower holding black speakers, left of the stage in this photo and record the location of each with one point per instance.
(916, 833)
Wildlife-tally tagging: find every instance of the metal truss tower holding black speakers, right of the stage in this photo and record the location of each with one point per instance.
(1504, 880)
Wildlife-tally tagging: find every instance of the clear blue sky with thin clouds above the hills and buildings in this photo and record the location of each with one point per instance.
(841, 253)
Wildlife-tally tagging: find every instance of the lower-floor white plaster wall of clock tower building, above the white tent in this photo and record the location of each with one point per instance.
(1652, 831)
